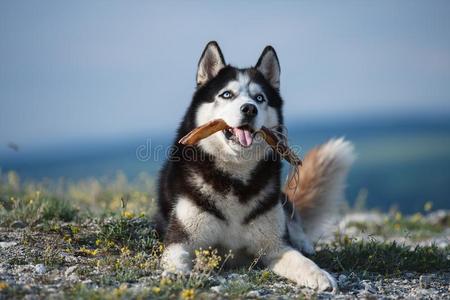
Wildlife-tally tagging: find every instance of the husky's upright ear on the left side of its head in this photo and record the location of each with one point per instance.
(211, 62)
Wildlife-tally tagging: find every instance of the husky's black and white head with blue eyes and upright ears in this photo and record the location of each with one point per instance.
(246, 99)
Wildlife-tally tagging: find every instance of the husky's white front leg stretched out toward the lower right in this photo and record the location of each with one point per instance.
(290, 263)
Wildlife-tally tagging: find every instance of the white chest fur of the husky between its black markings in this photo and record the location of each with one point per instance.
(207, 230)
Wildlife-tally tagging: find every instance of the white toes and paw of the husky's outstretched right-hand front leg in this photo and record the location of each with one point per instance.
(317, 279)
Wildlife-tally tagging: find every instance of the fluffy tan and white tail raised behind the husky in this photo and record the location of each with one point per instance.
(322, 184)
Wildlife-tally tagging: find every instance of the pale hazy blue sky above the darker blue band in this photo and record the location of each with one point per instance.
(84, 70)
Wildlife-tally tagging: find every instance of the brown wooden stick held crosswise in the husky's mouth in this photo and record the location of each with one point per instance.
(268, 135)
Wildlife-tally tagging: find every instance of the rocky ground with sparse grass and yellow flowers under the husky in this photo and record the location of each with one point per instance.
(107, 258)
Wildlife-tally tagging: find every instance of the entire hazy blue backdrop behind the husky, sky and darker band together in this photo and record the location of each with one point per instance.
(83, 84)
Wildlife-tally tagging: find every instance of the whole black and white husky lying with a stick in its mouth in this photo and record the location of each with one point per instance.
(225, 192)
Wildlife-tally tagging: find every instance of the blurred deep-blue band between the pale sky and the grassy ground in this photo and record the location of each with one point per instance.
(401, 163)
